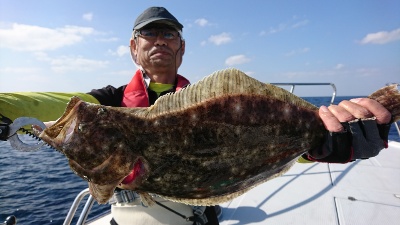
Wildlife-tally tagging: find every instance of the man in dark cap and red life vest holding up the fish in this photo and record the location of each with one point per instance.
(157, 47)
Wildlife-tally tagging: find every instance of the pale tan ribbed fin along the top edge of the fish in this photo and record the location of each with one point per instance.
(218, 84)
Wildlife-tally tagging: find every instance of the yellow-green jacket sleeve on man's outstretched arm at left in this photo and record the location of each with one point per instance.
(45, 106)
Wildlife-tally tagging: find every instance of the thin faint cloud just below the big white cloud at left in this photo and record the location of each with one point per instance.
(63, 64)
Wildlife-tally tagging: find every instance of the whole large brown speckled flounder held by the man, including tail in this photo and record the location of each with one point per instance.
(203, 145)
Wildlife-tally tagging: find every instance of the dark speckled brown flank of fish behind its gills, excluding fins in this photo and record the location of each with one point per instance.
(225, 145)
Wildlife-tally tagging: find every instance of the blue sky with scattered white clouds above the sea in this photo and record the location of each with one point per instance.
(76, 45)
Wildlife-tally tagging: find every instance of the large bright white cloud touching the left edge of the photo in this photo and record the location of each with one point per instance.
(23, 37)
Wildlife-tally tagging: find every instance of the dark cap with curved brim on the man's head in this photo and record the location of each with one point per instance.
(154, 14)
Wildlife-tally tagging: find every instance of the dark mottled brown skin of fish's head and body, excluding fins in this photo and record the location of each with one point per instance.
(223, 146)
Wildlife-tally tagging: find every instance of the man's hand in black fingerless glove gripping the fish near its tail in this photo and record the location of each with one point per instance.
(358, 129)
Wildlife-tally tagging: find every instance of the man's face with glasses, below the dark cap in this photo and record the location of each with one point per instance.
(158, 47)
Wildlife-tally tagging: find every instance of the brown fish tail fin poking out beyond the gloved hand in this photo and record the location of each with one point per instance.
(389, 97)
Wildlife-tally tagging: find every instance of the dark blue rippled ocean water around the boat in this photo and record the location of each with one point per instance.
(39, 188)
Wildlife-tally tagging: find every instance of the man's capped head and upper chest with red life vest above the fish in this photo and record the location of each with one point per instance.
(157, 47)
